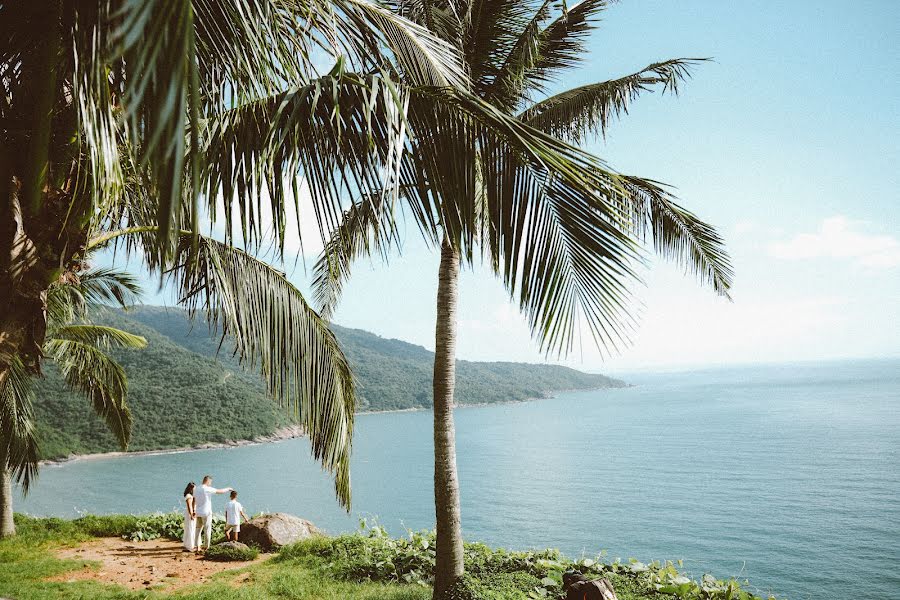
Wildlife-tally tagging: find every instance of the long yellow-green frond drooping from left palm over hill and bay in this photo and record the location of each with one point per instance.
(276, 332)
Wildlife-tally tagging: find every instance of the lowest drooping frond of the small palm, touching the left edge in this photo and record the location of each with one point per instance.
(18, 443)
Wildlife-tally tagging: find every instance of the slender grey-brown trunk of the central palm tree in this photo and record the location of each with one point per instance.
(449, 551)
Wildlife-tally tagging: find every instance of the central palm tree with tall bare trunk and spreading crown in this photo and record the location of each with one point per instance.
(565, 255)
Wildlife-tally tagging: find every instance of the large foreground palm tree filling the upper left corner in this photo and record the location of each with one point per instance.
(136, 119)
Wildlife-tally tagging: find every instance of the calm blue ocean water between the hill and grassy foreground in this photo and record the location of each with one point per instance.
(788, 476)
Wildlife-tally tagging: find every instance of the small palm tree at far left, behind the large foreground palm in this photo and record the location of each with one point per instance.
(78, 348)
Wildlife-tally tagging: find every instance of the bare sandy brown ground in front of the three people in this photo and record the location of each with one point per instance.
(139, 565)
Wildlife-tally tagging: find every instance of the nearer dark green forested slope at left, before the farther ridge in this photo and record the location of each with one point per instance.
(177, 398)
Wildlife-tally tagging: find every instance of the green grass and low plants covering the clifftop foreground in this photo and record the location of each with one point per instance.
(365, 566)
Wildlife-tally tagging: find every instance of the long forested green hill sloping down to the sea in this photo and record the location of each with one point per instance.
(186, 390)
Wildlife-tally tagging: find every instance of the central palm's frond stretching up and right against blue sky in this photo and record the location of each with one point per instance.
(589, 109)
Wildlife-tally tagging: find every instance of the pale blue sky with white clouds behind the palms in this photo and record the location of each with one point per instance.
(787, 141)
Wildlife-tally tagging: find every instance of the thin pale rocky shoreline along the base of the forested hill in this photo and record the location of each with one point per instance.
(286, 433)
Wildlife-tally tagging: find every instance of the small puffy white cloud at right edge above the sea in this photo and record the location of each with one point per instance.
(839, 237)
